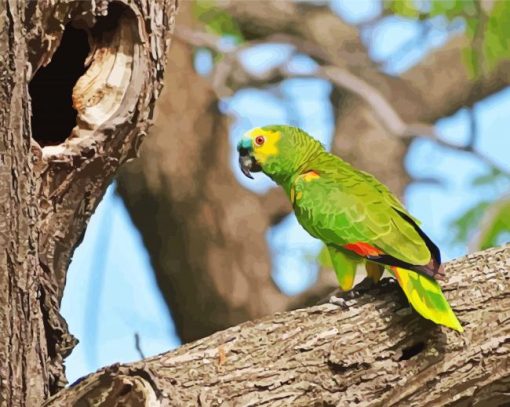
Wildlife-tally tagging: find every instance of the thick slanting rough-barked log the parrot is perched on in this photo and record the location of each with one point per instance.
(376, 353)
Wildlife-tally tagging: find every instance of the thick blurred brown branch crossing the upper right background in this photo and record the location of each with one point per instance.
(414, 95)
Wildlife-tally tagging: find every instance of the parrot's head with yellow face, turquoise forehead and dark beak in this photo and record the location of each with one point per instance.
(279, 151)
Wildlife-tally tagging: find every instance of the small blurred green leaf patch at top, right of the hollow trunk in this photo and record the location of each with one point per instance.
(217, 21)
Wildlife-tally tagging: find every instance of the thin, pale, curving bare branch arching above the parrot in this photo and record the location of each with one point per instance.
(230, 75)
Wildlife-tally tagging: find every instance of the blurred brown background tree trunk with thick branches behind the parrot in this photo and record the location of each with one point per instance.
(190, 209)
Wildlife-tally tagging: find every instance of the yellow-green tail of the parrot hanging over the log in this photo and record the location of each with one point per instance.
(426, 297)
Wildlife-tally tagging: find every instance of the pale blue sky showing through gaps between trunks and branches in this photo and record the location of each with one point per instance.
(111, 293)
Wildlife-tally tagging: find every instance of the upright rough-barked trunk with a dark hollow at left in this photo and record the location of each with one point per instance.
(52, 178)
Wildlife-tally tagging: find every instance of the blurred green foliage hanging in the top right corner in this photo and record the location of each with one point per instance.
(488, 30)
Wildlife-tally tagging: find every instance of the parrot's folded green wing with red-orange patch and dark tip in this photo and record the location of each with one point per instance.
(352, 210)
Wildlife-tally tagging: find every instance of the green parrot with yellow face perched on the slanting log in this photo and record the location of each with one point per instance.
(358, 218)
